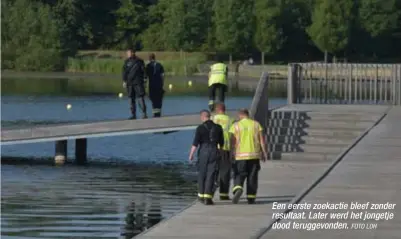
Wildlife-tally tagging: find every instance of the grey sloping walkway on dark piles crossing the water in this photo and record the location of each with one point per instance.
(100, 129)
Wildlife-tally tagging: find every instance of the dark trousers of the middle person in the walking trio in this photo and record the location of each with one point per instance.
(225, 166)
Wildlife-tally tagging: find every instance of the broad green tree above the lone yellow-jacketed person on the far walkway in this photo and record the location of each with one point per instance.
(233, 20)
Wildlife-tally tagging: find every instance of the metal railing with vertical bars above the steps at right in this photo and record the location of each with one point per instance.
(344, 83)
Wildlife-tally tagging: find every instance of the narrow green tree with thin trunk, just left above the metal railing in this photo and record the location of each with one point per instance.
(269, 36)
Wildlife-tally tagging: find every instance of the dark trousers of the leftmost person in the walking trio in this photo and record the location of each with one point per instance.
(207, 171)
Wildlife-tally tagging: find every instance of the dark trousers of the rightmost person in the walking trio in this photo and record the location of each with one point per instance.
(249, 170)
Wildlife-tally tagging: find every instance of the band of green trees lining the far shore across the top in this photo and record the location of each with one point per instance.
(41, 34)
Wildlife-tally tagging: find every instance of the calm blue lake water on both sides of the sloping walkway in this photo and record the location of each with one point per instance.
(131, 182)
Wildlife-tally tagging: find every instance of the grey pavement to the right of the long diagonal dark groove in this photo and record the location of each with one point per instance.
(370, 172)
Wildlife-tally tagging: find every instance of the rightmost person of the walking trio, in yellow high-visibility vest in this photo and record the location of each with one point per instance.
(248, 144)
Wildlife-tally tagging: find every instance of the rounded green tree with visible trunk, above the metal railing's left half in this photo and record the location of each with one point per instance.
(331, 25)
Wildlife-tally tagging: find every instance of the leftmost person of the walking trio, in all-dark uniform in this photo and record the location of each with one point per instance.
(208, 136)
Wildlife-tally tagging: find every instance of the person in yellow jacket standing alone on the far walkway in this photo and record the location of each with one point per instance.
(217, 83)
